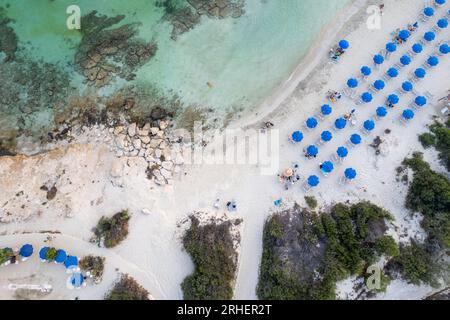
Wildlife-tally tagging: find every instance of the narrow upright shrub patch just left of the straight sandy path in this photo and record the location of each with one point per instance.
(211, 249)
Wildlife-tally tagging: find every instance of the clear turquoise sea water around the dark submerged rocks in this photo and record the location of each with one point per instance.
(242, 59)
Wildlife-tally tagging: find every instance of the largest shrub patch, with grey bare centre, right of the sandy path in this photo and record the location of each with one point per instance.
(352, 237)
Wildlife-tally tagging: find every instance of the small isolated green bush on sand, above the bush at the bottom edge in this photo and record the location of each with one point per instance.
(113, 230)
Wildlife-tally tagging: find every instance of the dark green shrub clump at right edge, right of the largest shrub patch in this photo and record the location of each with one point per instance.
(429, 194)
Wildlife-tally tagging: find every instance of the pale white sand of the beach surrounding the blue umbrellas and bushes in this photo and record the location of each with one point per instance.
(153, 253)
